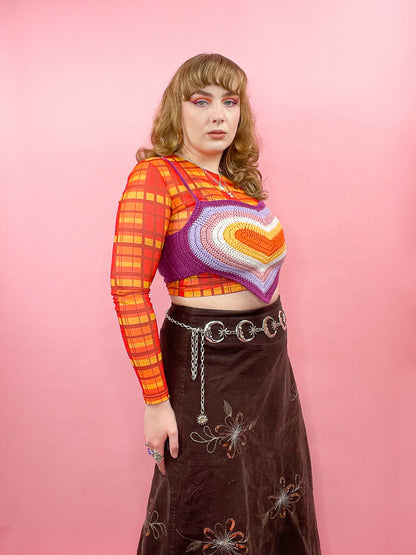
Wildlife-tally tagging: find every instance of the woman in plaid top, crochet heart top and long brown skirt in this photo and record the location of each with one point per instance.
(222, 419)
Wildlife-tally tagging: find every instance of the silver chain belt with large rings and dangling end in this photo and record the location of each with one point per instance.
(216, 331)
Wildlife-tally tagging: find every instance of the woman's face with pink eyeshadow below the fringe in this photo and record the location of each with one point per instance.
(209, 122)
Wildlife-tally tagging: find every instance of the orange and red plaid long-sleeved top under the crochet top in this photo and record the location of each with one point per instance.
(156, 203)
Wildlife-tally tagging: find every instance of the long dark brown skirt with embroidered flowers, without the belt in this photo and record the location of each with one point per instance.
(242, 483)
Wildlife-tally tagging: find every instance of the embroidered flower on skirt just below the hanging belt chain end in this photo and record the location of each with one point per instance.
(231, 435)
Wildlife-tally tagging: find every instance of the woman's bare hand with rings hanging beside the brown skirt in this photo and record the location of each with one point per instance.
(160, 425)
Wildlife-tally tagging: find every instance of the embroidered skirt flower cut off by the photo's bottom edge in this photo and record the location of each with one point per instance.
(222, 541)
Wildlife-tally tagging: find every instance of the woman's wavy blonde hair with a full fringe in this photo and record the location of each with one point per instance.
(240, 160)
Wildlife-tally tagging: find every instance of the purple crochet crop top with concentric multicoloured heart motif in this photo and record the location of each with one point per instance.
(234, 239)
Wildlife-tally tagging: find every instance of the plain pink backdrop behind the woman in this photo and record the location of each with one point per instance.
(333, 87)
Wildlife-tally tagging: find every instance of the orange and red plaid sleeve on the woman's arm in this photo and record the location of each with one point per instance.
(142, 221)
